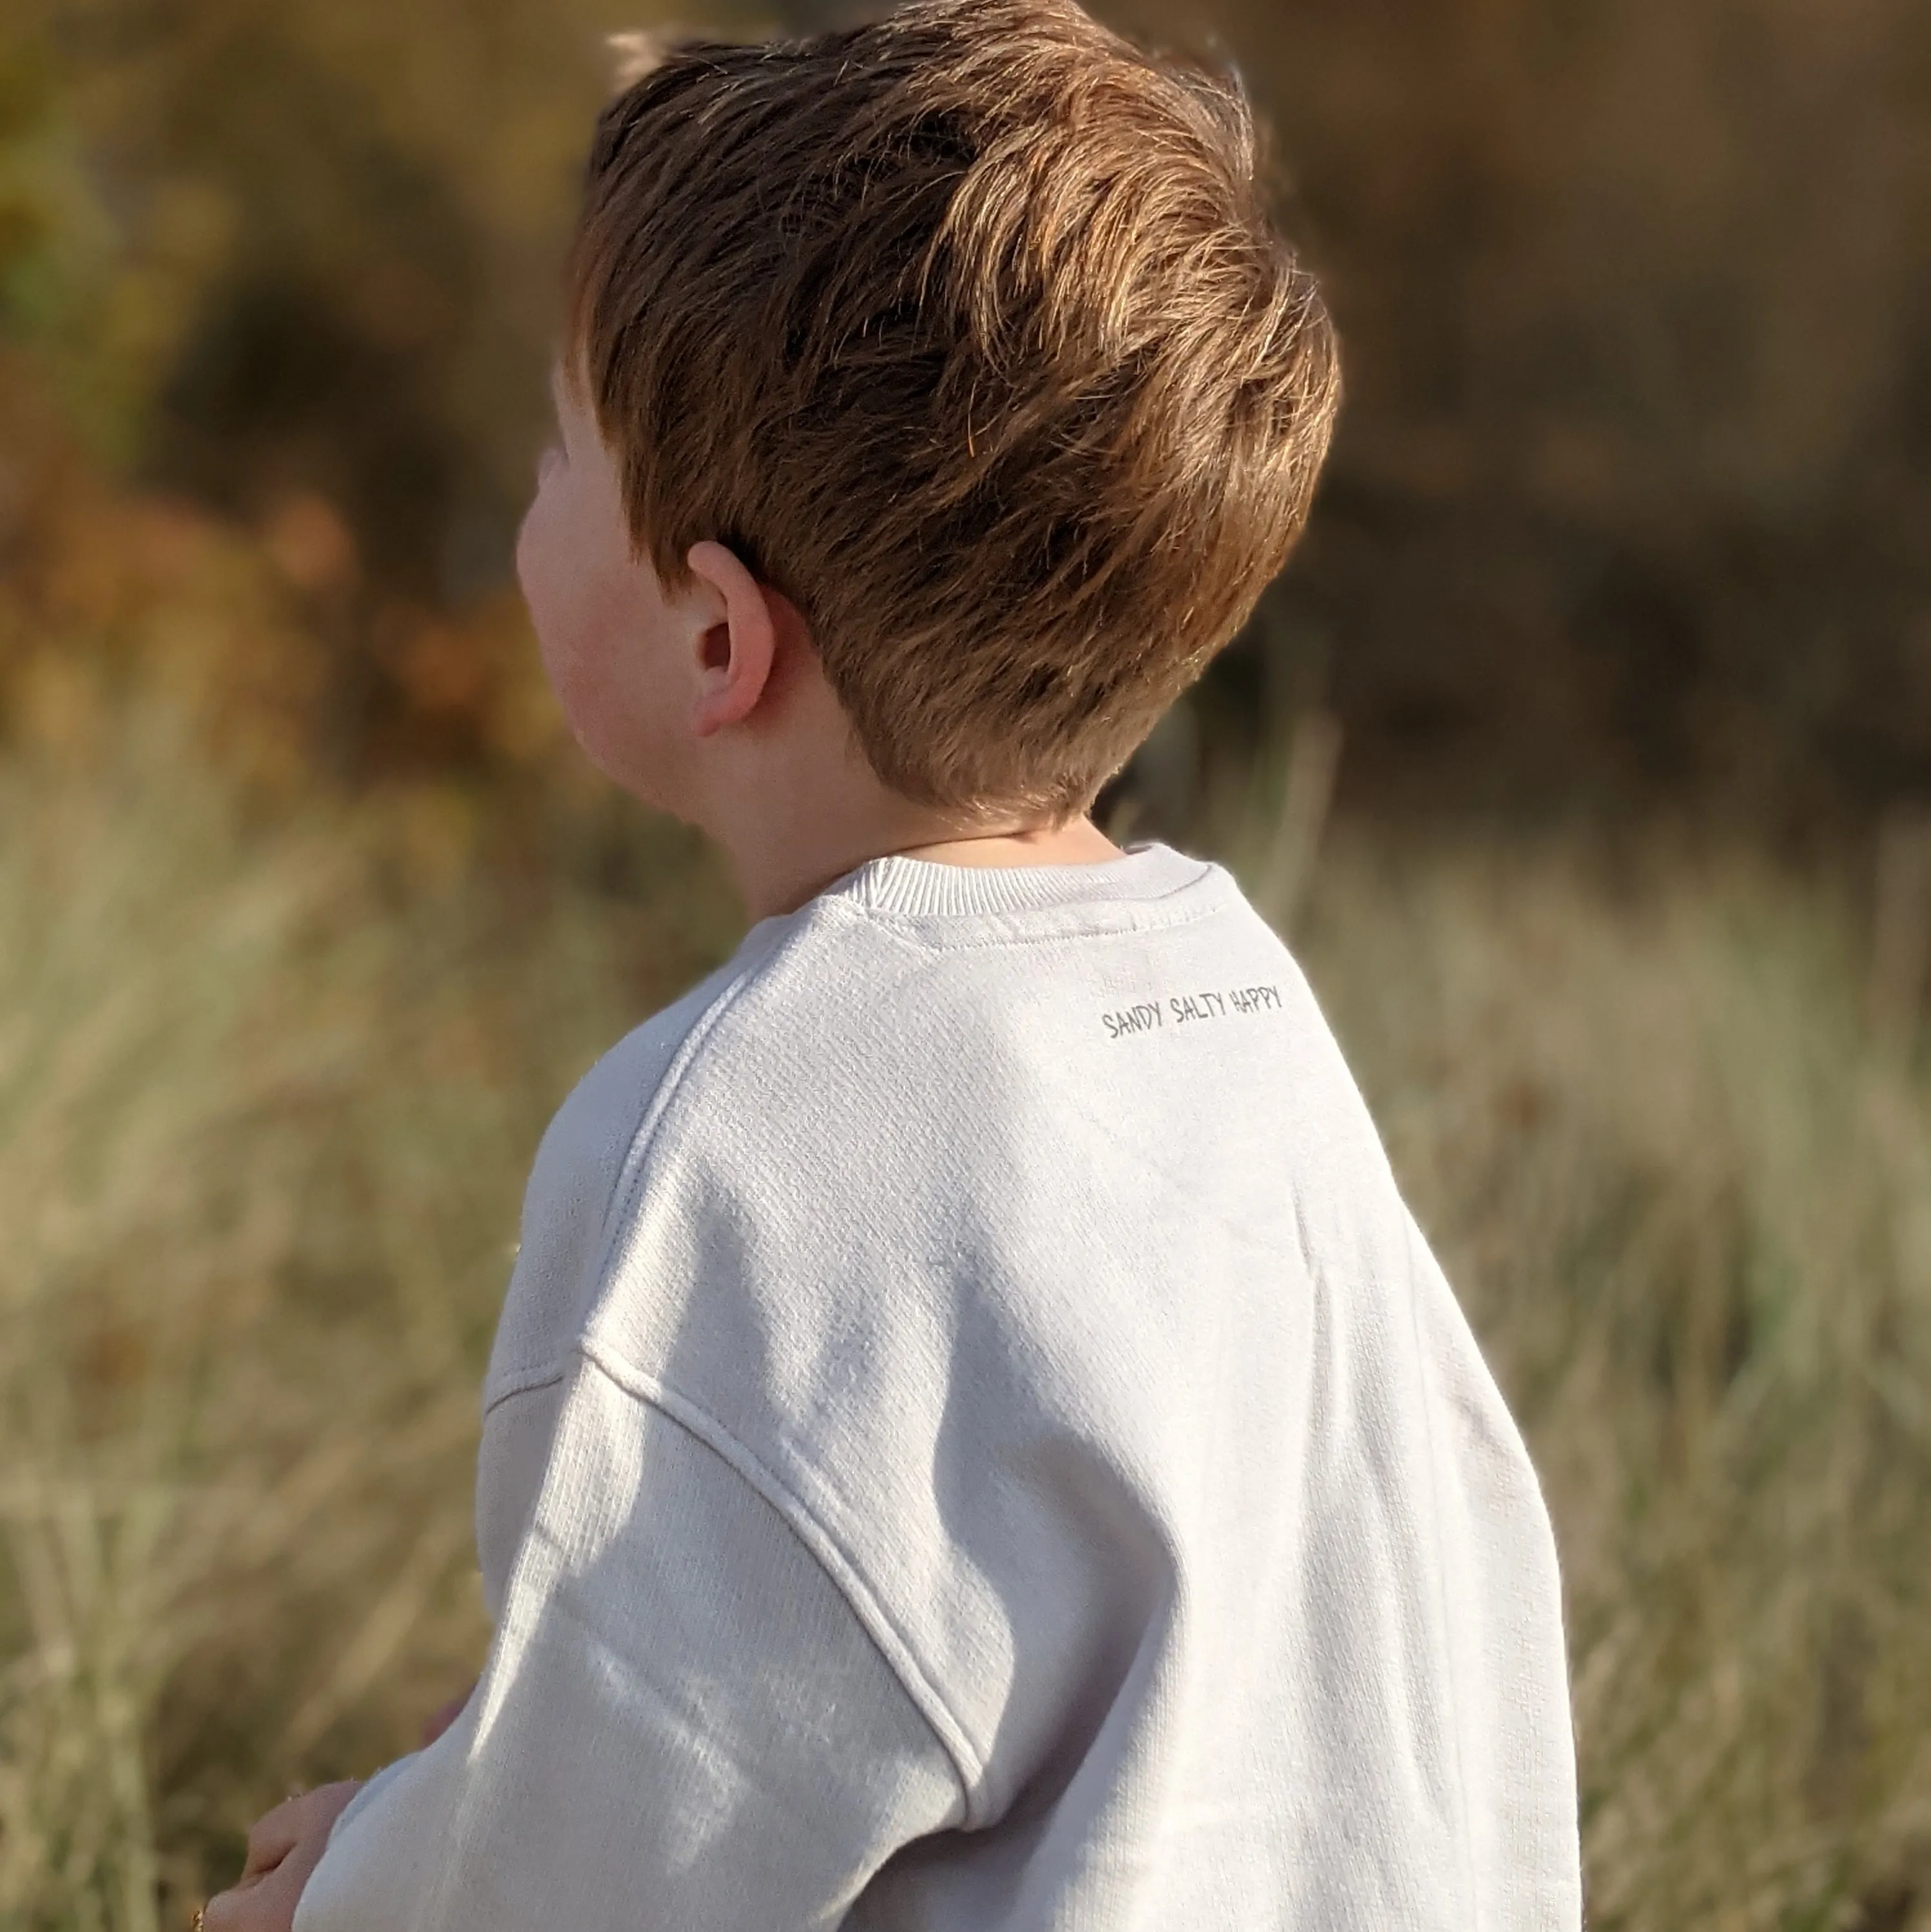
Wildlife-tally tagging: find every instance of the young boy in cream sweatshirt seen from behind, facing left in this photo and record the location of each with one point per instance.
(974, 1436)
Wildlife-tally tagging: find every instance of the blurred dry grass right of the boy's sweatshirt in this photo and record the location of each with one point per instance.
(1689, 1207)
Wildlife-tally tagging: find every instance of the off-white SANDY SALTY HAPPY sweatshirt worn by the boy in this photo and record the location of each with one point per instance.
(978, 1442)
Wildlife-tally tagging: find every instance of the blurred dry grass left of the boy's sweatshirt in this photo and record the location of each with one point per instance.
(266, 1108)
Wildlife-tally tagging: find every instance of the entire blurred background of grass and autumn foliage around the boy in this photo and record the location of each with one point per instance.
(1584, 754)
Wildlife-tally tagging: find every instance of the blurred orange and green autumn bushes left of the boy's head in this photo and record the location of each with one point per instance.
(279, 283)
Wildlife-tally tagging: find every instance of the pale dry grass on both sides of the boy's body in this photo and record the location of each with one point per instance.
(266, 1108)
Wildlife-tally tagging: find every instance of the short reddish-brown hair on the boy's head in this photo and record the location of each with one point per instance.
(972, 335)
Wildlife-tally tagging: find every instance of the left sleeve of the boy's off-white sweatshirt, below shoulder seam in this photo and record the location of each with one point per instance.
(683, 1726)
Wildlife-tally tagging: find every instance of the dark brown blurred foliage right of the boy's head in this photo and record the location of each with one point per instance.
(1638, 318)
